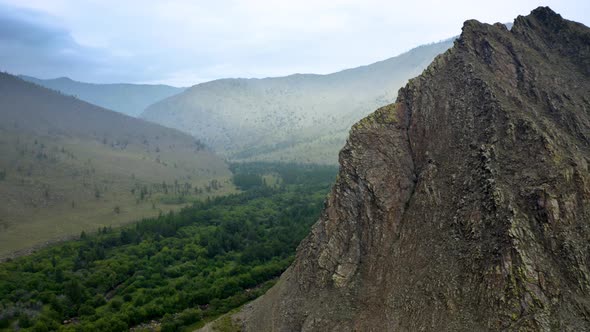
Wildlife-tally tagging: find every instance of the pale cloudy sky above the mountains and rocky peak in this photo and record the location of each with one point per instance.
(184, 42)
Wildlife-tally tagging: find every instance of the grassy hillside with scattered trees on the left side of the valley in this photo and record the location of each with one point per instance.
(68, 166)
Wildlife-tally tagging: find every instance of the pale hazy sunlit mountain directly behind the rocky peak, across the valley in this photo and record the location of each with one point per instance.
(302, 118)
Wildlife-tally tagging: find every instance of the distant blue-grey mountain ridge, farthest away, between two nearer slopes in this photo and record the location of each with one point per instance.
(130, 99)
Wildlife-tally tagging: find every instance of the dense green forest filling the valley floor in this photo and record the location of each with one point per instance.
(177, 269)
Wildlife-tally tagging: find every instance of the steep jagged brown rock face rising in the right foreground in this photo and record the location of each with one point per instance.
(463, 206)
